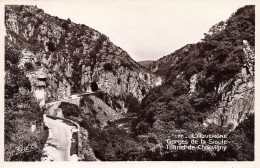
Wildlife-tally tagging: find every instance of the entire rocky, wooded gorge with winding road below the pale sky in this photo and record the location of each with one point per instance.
(83, 87)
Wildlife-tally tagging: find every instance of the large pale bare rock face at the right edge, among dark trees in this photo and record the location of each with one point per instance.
(237, 100)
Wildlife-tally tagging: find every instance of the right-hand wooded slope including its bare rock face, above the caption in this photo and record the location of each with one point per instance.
(211, 81)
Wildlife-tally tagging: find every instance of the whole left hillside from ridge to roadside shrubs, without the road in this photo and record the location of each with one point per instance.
(49, 59)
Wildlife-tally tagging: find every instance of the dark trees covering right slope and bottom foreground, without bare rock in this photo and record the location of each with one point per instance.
(170, 109)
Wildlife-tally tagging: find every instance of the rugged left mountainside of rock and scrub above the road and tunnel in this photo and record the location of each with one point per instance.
(74, 56)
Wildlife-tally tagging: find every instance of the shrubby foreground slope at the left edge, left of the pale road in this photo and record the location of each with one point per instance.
(21, 111)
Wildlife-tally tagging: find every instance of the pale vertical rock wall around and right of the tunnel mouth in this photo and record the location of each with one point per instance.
(120, 82)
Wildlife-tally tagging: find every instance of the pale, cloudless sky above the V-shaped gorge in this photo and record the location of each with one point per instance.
(146, 29)
